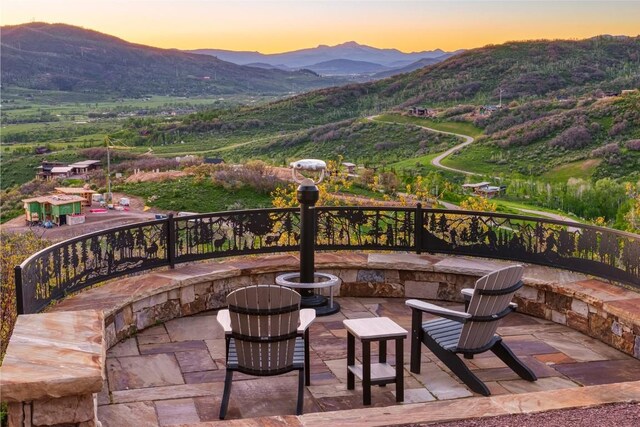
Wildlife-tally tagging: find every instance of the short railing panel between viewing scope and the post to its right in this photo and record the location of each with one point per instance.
(363, 228)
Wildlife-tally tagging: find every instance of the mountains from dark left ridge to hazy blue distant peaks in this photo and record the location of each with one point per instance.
(63, 57)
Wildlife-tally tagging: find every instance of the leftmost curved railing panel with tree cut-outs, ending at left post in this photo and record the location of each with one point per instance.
(74, 264)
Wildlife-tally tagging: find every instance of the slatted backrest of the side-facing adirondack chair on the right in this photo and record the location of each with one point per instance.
(477, 334)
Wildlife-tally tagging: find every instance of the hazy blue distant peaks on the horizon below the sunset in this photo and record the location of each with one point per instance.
(348, 58)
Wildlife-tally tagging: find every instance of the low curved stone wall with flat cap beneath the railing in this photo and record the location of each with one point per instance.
(598, 309)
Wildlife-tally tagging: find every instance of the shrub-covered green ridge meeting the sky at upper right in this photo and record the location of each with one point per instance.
(523, 70)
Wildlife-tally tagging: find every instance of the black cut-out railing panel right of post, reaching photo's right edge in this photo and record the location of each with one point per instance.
(593, 250)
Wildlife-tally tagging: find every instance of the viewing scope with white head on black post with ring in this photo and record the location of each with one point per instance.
(306, 280)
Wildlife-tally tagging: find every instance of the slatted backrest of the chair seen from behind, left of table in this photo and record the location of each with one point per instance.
(264, 322)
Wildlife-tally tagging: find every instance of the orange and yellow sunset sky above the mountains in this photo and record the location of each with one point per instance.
(277, 26)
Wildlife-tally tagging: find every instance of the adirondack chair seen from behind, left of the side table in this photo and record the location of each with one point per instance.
(266, 334)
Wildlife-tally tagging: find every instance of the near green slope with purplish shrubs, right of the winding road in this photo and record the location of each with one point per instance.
(574, 138)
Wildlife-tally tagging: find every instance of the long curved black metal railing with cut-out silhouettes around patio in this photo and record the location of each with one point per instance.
(83, 261)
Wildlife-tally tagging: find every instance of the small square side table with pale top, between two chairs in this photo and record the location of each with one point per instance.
(380, 329)
